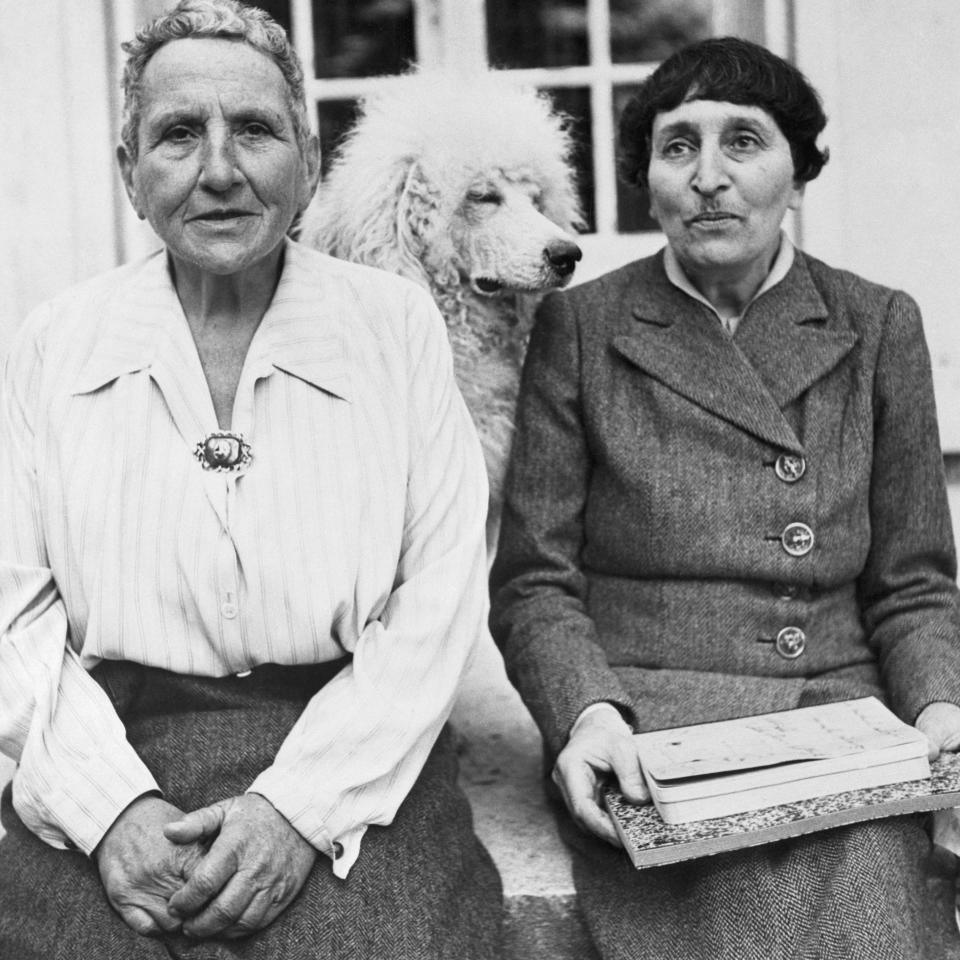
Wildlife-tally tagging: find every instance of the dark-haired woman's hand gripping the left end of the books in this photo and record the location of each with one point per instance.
(600, 744)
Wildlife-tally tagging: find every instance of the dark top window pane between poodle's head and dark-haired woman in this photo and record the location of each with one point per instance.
(537, 33)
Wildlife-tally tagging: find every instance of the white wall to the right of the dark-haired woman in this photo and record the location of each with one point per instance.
(887, 204)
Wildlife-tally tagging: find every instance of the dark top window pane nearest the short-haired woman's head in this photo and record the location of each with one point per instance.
(362, 38)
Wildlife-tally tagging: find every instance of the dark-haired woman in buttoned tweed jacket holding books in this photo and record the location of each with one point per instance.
(727, 498)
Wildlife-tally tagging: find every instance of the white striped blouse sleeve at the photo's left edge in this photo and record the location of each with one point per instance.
(76, 771)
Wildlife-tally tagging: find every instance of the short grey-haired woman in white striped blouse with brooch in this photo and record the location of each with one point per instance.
(242, 563)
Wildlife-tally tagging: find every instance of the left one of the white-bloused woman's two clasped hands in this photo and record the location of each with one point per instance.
(141, 869)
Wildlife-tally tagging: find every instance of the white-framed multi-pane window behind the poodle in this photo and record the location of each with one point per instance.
(588, 54)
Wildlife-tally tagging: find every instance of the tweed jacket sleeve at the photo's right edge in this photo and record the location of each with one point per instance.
(908, 586)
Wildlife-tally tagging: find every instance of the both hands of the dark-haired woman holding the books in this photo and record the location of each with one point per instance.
(601, 746)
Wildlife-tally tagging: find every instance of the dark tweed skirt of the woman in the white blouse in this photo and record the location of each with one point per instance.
(424, 888)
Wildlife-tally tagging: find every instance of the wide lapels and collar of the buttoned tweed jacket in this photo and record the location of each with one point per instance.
(780, 349)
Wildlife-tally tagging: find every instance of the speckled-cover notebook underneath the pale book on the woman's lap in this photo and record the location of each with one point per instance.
(649, 842)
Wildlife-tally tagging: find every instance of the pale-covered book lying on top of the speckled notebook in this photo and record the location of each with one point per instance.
(734, 766)
